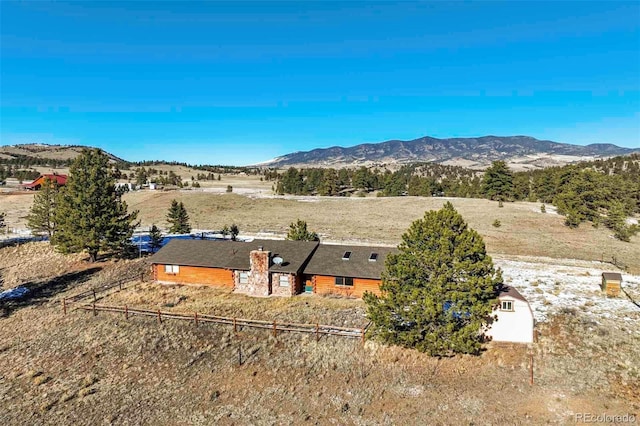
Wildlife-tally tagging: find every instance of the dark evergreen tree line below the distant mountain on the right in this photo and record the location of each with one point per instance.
(602, 192)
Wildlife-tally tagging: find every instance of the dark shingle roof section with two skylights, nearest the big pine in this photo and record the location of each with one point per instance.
(327, 260)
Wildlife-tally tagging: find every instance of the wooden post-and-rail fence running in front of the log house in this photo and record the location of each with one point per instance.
(196, 318)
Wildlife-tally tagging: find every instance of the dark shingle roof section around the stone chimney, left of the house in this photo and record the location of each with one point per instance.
(234, 254)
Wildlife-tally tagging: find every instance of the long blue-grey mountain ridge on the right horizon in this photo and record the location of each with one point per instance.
(519, 151)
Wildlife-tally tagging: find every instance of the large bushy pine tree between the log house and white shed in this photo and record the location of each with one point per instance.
(439, 291)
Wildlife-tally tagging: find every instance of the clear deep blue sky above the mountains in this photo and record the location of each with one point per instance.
(243, 82)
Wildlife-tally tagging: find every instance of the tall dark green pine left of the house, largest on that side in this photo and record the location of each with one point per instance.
(90, 215)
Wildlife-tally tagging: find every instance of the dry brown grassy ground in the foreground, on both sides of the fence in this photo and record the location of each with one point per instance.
(104, 369)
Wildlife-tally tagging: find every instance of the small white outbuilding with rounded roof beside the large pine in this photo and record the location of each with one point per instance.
(514, 321)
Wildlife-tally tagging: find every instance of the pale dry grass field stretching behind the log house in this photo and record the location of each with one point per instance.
(524, 229)
